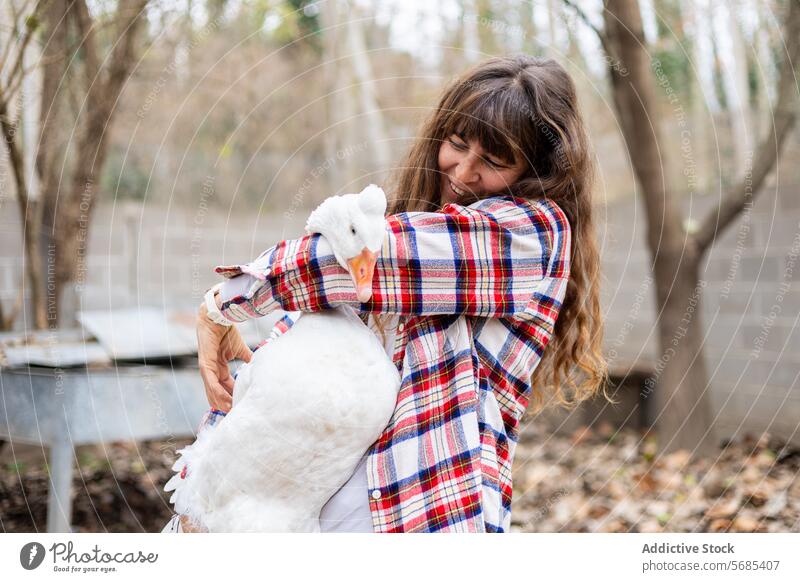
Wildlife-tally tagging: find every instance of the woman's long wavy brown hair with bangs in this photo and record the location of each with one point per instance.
(525, 108)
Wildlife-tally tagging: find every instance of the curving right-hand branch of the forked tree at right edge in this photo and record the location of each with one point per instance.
(783, 118)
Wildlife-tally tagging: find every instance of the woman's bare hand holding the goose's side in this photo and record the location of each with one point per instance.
(216, 346)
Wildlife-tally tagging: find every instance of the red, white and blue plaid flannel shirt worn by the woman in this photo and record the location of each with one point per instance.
(477, 290)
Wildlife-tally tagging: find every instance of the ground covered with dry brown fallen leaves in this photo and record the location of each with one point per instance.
(595, 480)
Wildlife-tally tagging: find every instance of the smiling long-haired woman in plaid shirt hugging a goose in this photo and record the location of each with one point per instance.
(490, 258)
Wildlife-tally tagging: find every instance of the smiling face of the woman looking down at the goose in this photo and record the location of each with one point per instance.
(470, 174)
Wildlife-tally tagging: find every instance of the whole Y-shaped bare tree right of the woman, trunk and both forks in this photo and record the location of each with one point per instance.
(681, 390)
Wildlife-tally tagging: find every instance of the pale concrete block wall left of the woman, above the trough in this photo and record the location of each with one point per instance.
(151, 256)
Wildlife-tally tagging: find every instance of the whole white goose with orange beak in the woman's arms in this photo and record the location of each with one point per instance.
(305, 409)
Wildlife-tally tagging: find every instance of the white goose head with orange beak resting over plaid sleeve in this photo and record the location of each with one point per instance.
(354, 225)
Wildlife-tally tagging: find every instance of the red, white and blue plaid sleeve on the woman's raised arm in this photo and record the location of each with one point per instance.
(500, 257)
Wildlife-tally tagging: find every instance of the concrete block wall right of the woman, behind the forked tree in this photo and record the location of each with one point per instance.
(749, 308)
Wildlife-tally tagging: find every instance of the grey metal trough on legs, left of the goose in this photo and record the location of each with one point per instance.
(127, 375)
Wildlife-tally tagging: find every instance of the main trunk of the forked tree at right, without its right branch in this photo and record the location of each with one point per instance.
(684, 412)
